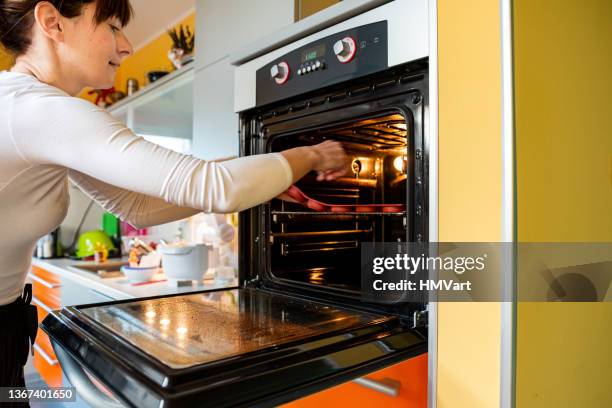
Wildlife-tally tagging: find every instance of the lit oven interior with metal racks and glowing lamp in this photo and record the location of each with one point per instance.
(322, 248)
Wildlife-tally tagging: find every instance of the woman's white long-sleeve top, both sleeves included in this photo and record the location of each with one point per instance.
(48, 137)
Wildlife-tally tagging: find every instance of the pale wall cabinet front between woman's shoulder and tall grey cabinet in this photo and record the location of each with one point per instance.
(161, 109)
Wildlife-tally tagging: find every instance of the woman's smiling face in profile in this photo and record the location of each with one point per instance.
(94, 51)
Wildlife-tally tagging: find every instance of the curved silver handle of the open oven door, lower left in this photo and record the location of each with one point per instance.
(86, 389)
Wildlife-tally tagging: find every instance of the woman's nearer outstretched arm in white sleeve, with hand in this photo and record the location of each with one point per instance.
(56, 129)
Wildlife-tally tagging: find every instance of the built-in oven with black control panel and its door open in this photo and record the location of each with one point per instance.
(298, 323)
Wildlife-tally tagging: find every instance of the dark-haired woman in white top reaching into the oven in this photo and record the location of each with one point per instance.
(48, 136)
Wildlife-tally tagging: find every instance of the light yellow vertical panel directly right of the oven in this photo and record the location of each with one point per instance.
(469, 192)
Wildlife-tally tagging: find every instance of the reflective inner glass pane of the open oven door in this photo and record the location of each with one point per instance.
(184, 331)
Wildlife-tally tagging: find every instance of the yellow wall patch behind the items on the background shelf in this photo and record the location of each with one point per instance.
(152, 56)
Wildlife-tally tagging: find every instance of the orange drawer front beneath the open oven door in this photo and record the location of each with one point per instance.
(412, 375)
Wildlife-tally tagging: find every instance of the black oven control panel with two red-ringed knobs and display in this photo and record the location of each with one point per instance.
(339, 57)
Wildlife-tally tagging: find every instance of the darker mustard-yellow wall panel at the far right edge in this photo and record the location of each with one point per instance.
(563, 61)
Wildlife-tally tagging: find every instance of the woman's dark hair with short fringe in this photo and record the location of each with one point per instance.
(17, 18)
